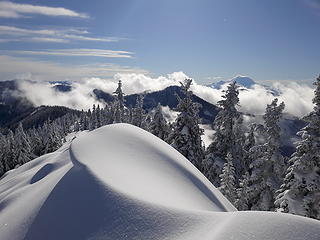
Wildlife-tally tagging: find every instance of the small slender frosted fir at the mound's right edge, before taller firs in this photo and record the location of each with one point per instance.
(227, 180)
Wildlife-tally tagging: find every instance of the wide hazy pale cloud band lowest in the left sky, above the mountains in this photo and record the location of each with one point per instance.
(13, 67)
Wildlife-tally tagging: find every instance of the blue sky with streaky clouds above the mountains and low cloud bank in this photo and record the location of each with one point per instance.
(206, 39)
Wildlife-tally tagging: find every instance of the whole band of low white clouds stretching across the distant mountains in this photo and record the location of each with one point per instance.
(297, 97)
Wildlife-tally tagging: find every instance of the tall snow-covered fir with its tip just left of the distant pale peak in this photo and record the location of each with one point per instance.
(227, 138)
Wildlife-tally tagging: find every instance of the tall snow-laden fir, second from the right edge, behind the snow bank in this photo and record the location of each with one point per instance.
(267, 166)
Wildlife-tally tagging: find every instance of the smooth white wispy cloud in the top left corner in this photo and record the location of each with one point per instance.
(17, 10)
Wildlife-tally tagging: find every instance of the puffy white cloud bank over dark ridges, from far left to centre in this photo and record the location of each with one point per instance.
(42, 93)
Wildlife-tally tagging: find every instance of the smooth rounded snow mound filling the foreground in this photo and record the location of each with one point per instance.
(120, 182)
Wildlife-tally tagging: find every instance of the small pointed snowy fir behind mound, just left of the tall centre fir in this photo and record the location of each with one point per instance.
(159, 126)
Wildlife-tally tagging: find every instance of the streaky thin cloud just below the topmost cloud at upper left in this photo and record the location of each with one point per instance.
(11, 33)
